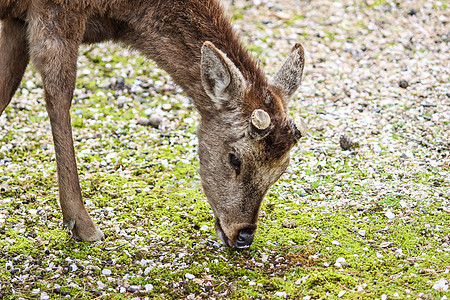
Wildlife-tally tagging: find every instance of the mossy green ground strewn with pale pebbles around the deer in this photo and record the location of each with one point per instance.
(362, 213)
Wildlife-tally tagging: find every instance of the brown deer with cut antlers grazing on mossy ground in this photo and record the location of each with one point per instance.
(245, 134)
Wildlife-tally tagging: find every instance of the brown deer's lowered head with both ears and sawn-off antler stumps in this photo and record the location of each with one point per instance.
(245, 141)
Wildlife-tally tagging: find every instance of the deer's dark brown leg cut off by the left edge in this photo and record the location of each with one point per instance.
(13, 58)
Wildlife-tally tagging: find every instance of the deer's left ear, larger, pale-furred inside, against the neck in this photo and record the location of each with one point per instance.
(221, 79)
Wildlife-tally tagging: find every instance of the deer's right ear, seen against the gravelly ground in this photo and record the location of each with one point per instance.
(289, 76)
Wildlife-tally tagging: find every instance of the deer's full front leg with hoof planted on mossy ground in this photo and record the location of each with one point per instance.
(54, 51)
